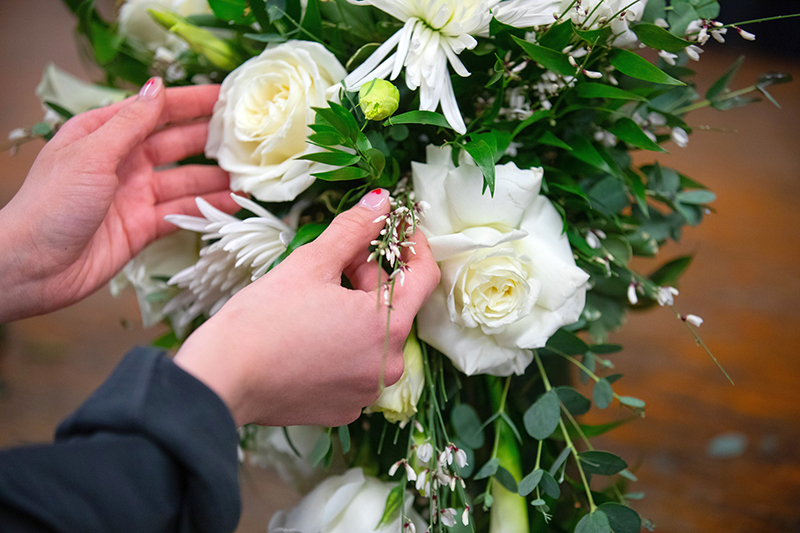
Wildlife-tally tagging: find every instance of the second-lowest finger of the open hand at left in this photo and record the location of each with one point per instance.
(189, 180)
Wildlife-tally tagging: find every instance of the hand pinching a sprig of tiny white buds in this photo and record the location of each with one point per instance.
(296, 347)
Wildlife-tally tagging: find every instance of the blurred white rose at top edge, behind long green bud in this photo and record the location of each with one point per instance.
(136, 24)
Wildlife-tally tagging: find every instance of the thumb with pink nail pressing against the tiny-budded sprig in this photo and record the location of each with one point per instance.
(350, 233)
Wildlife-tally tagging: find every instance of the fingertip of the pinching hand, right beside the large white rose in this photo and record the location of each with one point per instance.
(421, 278)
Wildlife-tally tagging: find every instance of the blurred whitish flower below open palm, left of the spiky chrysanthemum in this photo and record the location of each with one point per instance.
(149, 271)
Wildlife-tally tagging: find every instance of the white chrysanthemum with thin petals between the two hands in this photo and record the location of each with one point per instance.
(242, 252)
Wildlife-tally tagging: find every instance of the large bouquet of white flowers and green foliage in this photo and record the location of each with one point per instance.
(504, 130)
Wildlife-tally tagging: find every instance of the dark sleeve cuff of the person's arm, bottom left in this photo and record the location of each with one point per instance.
(153, 449)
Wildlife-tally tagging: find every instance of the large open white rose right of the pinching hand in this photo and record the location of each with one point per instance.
(509, 280)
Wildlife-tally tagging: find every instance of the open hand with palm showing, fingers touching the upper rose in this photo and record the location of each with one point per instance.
(94, 199)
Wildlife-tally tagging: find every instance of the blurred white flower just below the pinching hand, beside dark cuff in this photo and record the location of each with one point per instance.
(271, 449)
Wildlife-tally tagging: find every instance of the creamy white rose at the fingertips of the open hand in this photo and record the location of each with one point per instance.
(260, 123)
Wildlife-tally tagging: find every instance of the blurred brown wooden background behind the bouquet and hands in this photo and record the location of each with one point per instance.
(744, 282)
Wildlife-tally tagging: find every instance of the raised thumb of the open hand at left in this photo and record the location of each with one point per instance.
(133, 122)
